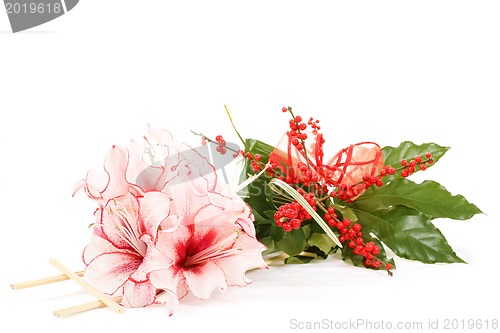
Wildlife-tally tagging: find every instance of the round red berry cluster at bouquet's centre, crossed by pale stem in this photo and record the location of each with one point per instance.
(291, 215)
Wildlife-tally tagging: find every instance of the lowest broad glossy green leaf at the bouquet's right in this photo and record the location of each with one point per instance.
(409, 233)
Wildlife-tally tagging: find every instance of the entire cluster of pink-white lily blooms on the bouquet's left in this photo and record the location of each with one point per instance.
(162, 217)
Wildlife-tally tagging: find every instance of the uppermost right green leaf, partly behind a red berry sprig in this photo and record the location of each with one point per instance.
(408, 150)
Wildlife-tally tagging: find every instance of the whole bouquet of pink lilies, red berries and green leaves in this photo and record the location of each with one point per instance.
(168, 223)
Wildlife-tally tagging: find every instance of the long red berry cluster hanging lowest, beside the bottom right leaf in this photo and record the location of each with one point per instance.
(352, 235)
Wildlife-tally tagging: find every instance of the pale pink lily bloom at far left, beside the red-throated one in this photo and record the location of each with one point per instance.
(116, 255)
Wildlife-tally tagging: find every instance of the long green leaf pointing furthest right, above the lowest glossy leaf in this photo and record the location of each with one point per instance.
(429, 197)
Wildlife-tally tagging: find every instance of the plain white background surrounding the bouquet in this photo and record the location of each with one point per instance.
(383, 71)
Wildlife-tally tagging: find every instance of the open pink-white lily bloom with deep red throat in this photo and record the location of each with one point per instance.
(213, 247)
